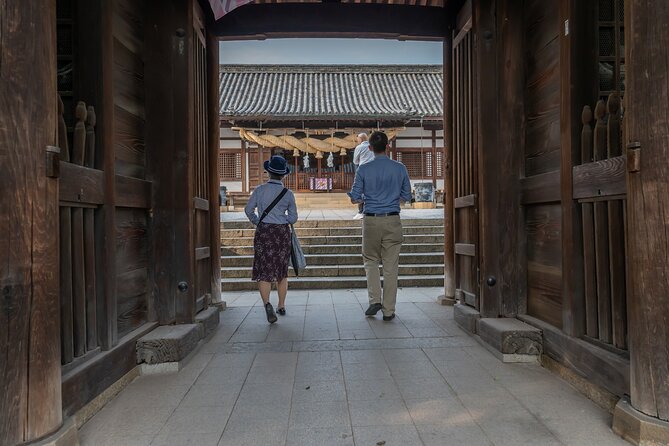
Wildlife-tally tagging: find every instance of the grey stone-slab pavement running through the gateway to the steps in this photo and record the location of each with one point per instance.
(326, 375)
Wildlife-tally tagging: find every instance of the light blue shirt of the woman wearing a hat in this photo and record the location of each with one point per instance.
(285, 211)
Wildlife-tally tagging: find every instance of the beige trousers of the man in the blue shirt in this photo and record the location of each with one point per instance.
(381, 244)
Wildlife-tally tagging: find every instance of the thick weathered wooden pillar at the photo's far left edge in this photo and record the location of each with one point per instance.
(30, 400)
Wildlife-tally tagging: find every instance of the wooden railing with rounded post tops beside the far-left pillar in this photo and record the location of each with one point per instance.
(81, 191)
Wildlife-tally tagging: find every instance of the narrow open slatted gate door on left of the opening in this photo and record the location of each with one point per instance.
(201, 222)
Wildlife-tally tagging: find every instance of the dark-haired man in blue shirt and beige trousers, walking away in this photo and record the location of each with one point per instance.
(381, 184)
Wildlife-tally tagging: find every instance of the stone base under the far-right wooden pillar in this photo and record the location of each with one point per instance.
(637, 427)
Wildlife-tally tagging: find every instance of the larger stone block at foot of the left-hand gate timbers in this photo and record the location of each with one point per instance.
(168, 343)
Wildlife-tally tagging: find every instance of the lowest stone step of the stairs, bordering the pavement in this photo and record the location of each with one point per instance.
(318, 283)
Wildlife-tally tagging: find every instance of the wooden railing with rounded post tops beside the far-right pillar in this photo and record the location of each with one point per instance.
(599, 185)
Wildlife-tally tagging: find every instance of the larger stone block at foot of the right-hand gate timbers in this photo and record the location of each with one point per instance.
(510, 336)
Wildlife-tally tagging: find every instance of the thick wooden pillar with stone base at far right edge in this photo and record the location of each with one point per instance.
(646, 121)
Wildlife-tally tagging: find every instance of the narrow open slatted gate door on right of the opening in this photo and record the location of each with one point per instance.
(465, 171)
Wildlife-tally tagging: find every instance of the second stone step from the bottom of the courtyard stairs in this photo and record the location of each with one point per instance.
(338, 271)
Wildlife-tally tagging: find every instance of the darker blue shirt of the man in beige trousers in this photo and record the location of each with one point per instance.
(381, 184)
